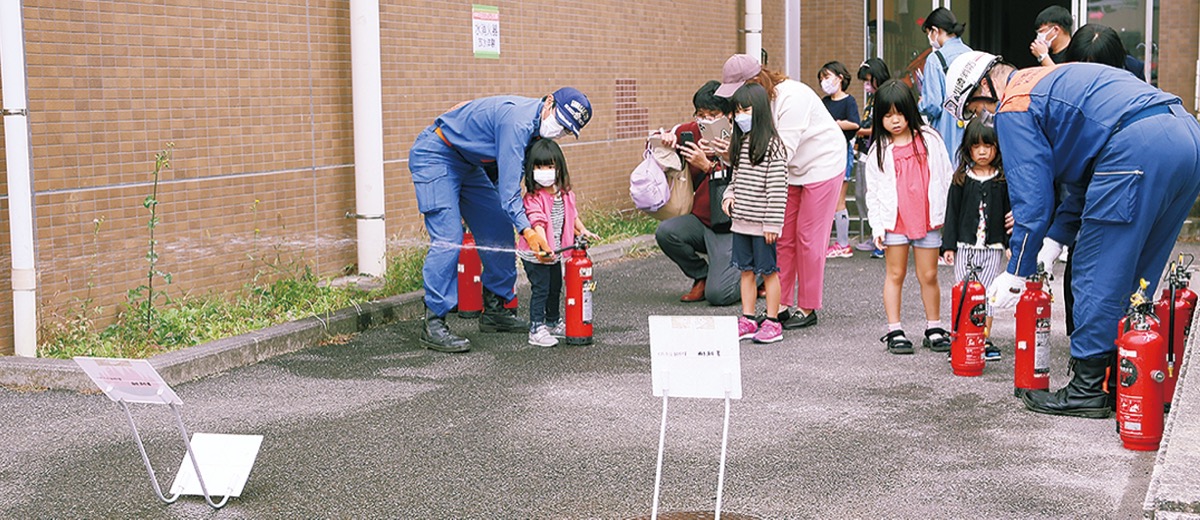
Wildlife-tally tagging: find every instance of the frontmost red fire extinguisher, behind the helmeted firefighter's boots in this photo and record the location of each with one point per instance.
(1142, 368)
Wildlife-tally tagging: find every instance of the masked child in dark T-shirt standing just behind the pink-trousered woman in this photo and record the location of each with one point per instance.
(835, 81)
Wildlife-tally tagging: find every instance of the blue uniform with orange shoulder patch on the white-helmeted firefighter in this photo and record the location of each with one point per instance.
(1125, 158)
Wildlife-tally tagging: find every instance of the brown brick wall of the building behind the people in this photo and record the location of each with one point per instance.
(256, 95)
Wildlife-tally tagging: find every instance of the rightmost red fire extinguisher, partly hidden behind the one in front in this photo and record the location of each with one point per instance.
(1175, 309)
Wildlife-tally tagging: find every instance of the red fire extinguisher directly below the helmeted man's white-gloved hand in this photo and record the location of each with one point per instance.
(1031, 364)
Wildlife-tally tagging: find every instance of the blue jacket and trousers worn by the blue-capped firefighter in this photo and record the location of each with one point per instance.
(447, 163)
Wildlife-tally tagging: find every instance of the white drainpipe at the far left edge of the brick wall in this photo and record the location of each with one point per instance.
(21, 193)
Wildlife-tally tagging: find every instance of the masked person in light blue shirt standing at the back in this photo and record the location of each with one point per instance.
(945, 37)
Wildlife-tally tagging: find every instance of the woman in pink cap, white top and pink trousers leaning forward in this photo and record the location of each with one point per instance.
(817, 163)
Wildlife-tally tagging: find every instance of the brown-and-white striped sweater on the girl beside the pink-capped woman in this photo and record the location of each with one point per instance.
(759, 193)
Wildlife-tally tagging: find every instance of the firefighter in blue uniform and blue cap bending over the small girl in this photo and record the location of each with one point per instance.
(469, 166)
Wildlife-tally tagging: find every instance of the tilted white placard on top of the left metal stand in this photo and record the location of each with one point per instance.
(129, 380)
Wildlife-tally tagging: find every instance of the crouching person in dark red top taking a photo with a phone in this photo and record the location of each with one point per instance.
(687, 237)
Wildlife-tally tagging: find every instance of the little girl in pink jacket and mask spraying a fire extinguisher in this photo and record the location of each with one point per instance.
(550, 206)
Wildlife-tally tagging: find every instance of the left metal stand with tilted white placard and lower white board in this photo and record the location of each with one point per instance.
(229, 458)
